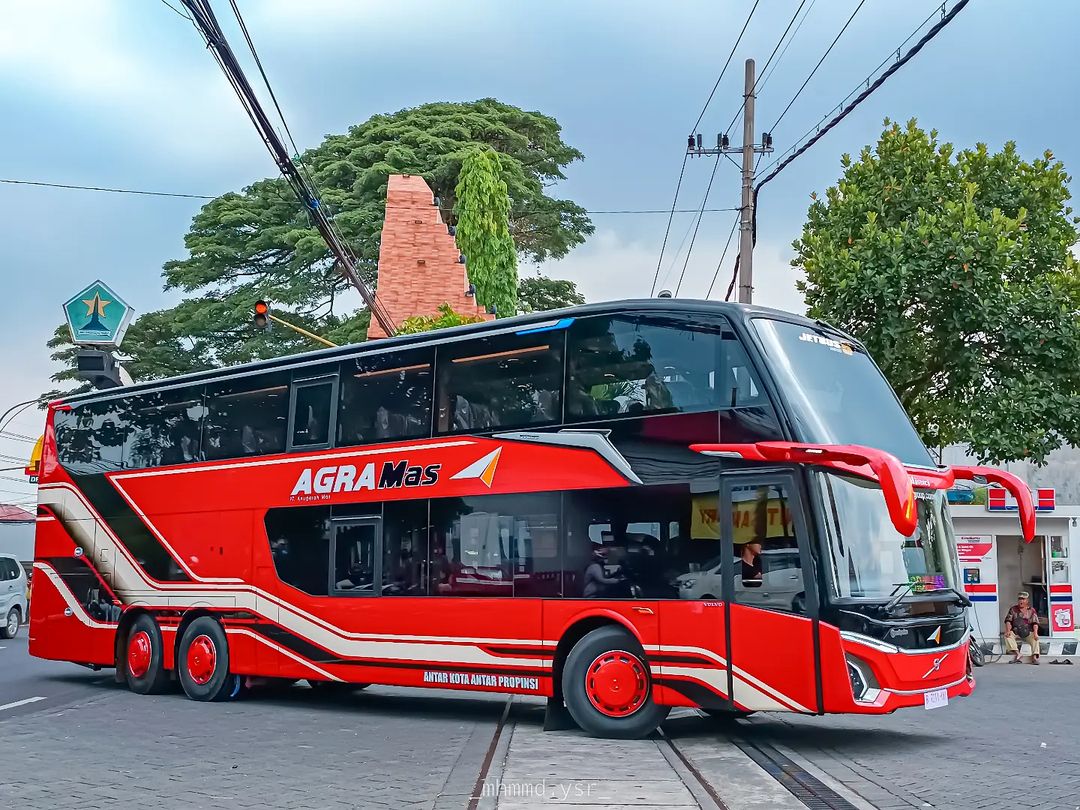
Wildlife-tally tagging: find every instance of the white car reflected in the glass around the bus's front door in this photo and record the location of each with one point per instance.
(780, 585)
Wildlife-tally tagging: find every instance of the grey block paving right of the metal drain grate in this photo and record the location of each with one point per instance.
(957, 758)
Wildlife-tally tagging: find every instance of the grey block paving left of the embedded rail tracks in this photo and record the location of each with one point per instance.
(381, 749)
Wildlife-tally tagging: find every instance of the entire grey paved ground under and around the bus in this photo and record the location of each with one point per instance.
(88, 744)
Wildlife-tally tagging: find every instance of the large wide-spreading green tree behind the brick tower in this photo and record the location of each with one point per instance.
(260, 244)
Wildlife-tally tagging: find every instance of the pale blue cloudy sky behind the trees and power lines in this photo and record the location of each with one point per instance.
(123, 93)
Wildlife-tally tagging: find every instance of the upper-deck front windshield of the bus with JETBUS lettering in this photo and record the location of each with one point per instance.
(835, 393)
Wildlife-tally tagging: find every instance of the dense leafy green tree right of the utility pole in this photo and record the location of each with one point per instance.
(956, 272)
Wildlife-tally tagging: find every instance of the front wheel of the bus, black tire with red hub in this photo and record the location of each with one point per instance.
(611, 647)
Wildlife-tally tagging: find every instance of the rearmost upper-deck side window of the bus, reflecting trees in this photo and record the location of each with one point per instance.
(91, 438)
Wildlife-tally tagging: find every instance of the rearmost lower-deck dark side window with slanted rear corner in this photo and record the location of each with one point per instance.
(301, 546)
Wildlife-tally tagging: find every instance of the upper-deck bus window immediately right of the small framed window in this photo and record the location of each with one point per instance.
(386, 397)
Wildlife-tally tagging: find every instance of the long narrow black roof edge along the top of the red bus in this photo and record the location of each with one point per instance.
(737, 312)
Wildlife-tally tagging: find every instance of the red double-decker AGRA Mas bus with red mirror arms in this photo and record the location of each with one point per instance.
(623, 507)
